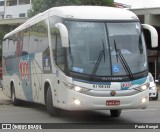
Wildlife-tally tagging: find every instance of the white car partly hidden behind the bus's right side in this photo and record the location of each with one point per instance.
(153, 91)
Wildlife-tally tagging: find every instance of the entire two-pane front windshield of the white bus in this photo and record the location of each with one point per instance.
(106, 49)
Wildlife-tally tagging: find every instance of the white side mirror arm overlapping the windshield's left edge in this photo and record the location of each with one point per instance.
(64, 34)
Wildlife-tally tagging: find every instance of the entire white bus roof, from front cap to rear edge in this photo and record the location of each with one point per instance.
(79, 12)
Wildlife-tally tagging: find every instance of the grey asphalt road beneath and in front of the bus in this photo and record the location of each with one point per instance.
(35, 113)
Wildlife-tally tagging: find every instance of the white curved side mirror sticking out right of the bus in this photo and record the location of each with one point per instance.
(151, 35)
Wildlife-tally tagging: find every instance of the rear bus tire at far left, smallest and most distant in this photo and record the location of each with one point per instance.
(15, 101)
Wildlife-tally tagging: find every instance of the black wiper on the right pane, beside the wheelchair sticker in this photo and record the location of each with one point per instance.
(123, 61)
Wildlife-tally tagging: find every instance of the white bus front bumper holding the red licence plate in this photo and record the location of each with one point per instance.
(79, 101)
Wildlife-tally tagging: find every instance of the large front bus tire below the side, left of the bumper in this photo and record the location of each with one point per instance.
(52, 111)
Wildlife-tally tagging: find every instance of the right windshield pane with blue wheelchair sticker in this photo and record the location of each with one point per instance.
(127, 39)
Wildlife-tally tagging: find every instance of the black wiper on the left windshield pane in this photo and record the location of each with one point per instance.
(101, 54)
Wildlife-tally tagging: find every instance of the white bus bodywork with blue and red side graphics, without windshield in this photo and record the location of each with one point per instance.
(30, 72)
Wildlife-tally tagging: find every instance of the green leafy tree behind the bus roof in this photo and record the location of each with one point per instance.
(42, 5)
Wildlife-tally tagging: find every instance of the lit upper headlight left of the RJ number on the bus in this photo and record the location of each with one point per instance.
(75, 88)
